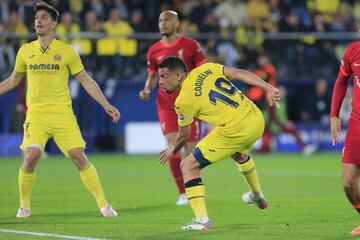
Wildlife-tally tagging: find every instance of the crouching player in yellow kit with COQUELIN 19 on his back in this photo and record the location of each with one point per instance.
(207, 94)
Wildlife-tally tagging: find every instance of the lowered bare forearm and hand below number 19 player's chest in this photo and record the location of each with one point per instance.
(180, 140)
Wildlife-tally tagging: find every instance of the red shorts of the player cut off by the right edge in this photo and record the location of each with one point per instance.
(351, 151)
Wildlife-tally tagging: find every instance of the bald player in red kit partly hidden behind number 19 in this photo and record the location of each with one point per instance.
(188, 49)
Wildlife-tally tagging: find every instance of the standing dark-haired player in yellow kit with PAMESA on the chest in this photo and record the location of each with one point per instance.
(47, 63)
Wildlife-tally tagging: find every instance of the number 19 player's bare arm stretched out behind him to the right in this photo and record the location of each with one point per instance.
(273, 94)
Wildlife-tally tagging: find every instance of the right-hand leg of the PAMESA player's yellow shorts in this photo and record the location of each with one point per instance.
(66, 133)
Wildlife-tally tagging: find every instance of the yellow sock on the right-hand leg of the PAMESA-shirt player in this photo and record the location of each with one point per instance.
(91, 181)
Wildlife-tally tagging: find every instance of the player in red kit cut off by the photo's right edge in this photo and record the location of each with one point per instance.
(350, 64)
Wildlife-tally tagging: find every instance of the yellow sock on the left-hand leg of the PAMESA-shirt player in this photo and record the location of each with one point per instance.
(26, 183)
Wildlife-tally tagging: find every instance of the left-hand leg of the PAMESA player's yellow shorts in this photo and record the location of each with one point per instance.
(36, 132)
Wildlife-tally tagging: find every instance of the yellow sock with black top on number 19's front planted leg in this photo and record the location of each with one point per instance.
(195, 192)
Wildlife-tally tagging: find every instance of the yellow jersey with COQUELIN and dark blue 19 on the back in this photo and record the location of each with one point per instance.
(208, 95)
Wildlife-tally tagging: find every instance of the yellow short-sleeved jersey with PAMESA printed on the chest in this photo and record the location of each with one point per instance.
(47, 73)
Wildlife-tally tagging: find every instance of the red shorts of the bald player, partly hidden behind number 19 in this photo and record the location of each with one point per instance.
(169, 123)
